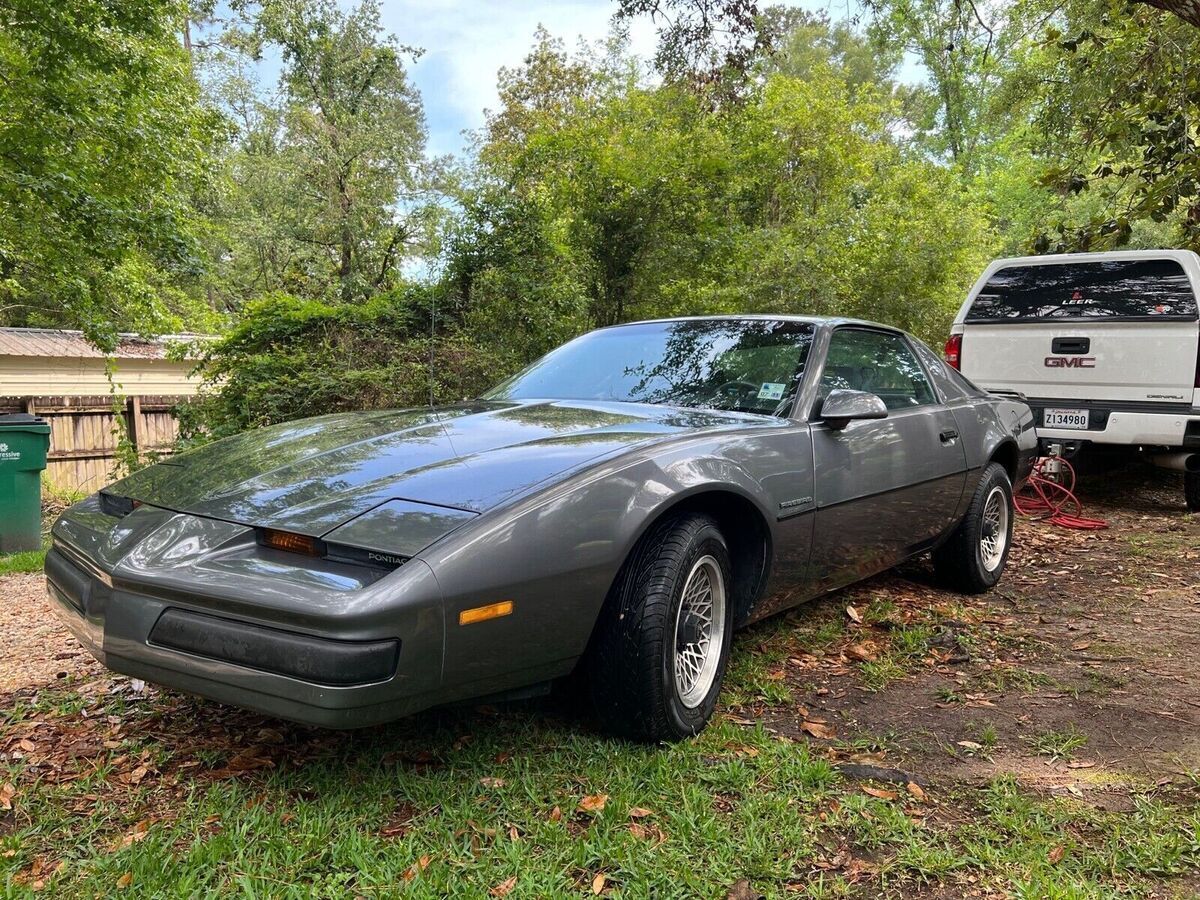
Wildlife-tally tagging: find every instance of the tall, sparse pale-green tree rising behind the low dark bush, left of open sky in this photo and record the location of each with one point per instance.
(328, 179)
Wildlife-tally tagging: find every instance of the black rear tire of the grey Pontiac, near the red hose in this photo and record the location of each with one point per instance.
(961, 562)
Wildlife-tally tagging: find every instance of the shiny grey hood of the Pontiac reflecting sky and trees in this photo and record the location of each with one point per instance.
(441, 465)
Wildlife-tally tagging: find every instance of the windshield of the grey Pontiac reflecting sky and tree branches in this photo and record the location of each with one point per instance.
(745, 365)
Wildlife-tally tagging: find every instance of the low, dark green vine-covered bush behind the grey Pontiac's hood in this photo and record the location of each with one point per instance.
(289, 358)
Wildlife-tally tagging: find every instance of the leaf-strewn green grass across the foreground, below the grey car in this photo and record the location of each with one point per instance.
(464, 803)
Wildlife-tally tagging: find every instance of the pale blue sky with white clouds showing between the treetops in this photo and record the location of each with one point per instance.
(466, 44)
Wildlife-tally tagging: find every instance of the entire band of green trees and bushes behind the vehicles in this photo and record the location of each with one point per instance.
(777, 163)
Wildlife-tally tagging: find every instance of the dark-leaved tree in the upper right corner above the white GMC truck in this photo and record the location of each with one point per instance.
(1115, 98)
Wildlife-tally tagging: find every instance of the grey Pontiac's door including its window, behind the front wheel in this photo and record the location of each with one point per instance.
(890, 488)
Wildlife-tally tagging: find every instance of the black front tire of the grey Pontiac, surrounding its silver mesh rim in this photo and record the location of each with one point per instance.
(631, 665)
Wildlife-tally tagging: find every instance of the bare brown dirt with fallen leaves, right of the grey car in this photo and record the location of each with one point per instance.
(1093, 638)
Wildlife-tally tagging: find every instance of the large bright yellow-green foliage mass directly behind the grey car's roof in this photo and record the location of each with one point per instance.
(599, 199)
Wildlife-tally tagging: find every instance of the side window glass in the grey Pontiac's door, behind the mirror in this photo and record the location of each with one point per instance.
(878, 363)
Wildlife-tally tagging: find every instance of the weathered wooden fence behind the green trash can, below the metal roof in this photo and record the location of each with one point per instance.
(83, 434)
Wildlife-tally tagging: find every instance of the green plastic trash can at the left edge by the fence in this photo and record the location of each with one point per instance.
(25, 441)
